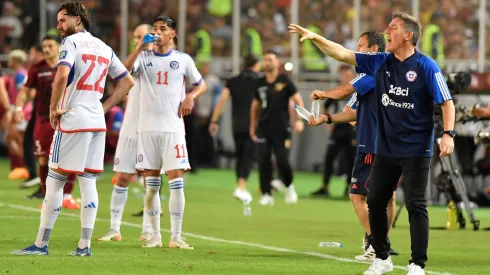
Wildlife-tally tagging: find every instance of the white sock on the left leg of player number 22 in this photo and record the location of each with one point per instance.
(51, 206)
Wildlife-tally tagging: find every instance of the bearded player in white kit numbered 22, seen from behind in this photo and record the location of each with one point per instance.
(77, 115)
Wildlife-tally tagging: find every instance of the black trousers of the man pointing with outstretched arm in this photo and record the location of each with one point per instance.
(385, 173)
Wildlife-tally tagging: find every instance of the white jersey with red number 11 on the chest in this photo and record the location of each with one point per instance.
(162, 79)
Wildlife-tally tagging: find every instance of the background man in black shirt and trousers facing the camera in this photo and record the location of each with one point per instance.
(270, 110)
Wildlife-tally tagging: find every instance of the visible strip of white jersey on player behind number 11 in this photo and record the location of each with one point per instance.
(129, 128)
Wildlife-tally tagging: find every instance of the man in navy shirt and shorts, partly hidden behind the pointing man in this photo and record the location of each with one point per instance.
(363, 98)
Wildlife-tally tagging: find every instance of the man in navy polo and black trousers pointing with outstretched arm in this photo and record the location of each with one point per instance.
(408, 83)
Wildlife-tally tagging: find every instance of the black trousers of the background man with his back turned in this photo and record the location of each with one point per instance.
(245, 149)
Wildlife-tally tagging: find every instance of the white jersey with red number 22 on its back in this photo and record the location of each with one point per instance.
(90, 61)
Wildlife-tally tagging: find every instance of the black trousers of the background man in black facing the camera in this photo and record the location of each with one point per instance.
(276, 142)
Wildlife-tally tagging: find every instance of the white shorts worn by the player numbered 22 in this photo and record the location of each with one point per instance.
(78, 152)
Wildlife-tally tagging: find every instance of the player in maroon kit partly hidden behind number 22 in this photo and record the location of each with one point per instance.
(41, 77)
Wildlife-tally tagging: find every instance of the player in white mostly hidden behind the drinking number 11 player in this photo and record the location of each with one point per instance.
(126, 155)
